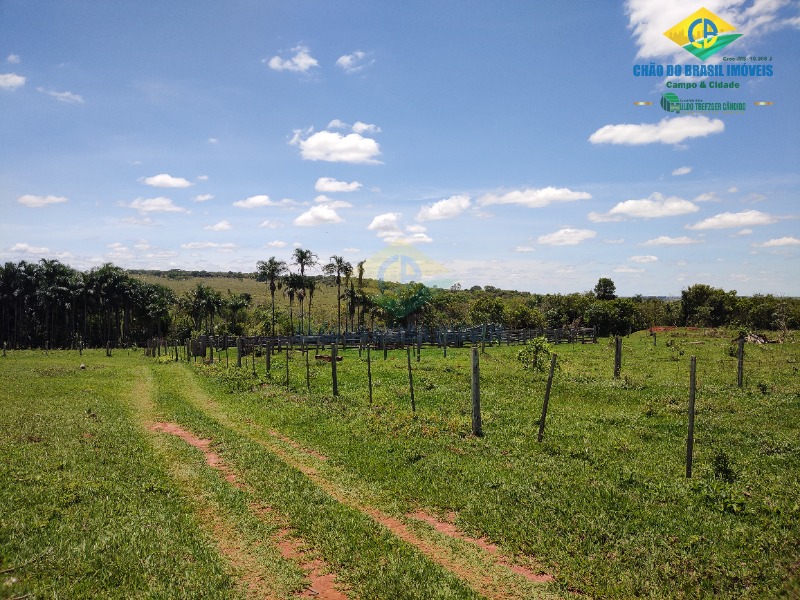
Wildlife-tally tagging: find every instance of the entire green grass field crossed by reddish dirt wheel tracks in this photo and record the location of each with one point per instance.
(95, 502)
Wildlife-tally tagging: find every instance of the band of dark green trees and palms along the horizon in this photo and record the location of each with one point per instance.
(49, 304)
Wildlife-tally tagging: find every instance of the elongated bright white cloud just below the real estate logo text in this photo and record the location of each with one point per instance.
(667, 131)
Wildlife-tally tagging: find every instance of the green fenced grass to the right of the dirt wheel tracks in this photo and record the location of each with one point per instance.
(604, 500)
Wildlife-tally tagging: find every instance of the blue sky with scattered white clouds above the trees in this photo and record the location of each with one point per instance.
(490, 142)
